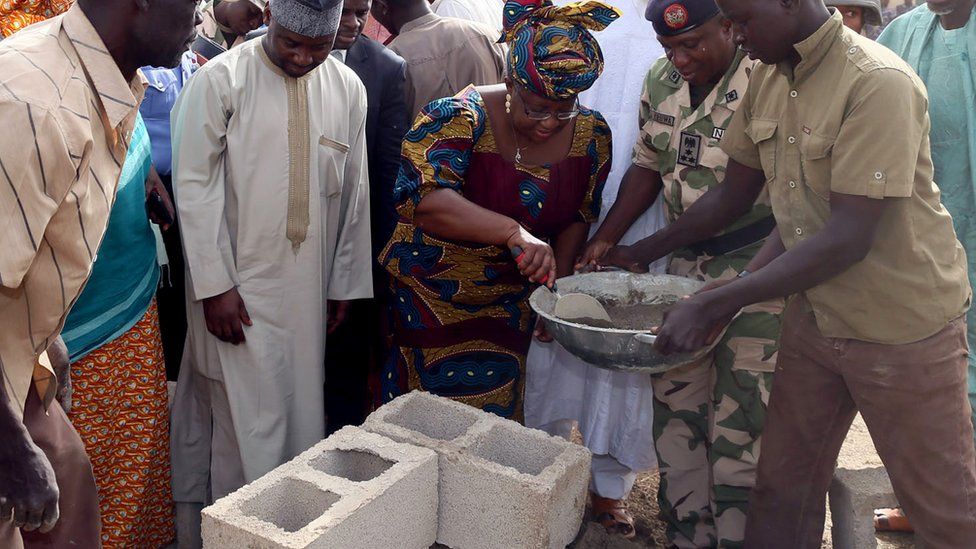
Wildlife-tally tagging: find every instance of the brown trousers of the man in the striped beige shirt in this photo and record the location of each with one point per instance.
(79, 524)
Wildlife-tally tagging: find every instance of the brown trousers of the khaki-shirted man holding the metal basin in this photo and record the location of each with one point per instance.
(912, 398)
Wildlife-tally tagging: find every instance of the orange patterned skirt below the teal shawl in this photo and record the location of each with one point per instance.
(119, 407)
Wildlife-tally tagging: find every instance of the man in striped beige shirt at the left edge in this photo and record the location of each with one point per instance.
(68, 108)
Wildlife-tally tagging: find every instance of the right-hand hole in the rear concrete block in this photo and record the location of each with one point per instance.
(516, 448)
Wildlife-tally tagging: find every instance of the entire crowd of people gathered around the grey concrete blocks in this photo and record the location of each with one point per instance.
(232, 228)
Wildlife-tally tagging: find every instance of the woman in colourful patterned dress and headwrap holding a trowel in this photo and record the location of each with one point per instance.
(519, 166)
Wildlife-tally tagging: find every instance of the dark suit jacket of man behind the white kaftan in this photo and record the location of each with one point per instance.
(383, 73)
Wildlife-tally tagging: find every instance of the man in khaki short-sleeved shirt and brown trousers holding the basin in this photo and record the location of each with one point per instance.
(869, 255)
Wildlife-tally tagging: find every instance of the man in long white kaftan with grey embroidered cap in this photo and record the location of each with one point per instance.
(272, 192)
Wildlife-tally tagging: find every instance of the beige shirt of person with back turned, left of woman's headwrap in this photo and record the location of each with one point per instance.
(445, 55)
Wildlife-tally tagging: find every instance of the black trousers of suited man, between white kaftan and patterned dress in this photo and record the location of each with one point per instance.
(355, 350)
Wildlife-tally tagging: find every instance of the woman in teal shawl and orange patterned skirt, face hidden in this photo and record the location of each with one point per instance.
(119, 399)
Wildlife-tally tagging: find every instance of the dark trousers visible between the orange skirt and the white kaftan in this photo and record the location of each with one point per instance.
(171, 297)
